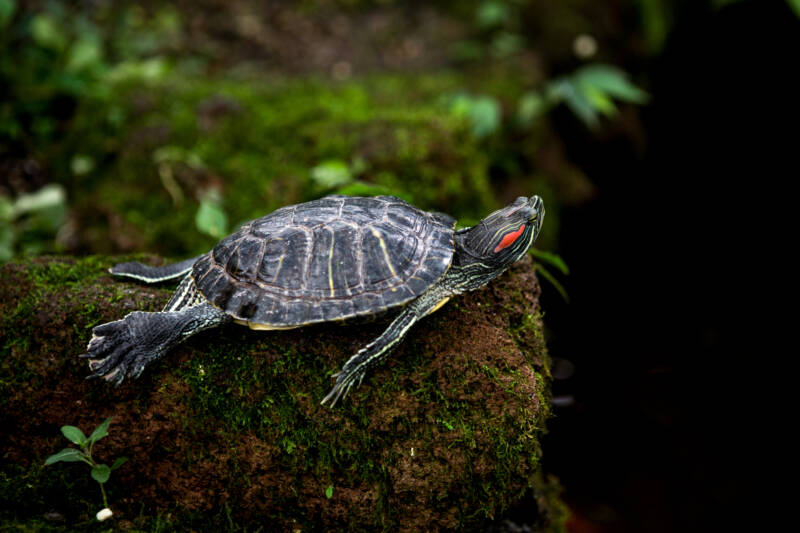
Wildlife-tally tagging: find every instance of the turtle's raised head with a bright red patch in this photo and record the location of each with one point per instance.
(506, 235)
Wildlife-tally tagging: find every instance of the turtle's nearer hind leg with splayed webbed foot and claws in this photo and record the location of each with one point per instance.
(124, 347)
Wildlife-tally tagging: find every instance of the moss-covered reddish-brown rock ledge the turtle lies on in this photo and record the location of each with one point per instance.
(227, 429)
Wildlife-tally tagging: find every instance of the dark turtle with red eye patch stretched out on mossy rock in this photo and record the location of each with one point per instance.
(338, 258)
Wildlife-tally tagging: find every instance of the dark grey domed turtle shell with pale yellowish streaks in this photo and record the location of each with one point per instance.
(329, 259)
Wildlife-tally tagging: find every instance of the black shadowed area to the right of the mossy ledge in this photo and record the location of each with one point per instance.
(666, 276)
